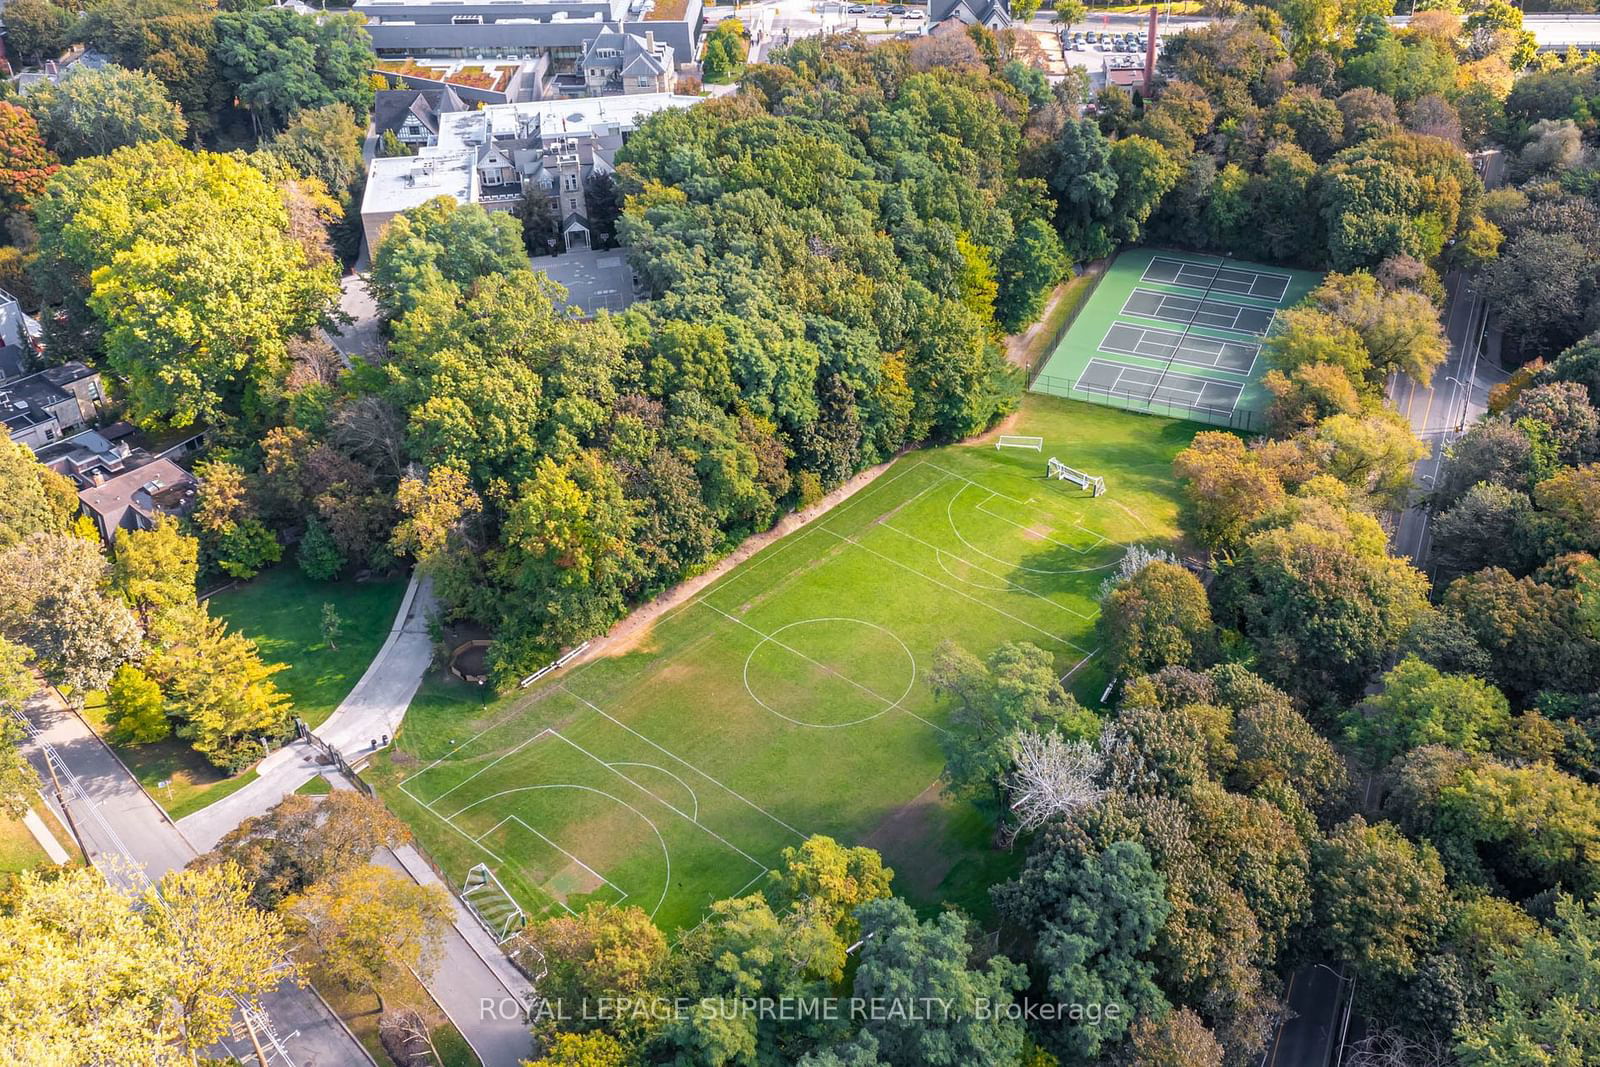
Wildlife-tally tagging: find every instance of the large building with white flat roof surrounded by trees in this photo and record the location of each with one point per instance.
(492, 156)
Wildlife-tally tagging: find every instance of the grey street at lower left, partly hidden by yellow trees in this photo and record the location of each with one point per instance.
(130, 839)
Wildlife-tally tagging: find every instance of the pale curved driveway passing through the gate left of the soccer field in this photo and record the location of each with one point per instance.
(372, 711)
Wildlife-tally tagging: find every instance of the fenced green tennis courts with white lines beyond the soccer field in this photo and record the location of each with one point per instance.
(1177, 334)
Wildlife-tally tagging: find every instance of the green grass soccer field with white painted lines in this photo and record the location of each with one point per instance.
(791, 698)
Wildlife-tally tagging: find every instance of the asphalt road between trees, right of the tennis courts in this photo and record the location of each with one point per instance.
(1457, 396)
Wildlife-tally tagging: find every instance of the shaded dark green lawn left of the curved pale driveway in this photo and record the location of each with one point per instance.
(282, 612)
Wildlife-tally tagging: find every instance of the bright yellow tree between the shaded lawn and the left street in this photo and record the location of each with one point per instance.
(217, 687)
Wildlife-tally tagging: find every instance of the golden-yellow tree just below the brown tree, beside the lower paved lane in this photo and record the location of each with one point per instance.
(369, 922)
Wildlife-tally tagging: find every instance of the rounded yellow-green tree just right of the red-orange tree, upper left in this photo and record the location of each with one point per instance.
(94, 113)
